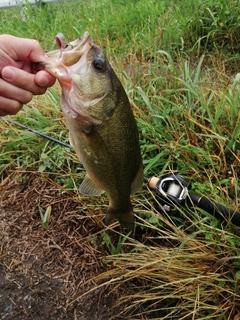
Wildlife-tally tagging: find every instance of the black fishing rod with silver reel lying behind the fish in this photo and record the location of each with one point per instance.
(171, 190)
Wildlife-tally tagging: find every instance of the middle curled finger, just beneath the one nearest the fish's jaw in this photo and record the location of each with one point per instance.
(10, 91)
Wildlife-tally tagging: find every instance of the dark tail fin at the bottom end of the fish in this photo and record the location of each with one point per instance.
(125, 218)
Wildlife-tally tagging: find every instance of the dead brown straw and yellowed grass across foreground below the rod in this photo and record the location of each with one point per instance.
(67, 272)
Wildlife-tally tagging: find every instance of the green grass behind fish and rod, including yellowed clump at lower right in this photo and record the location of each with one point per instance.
(179, 65)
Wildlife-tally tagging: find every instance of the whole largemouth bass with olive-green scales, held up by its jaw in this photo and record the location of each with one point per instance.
(101, 124)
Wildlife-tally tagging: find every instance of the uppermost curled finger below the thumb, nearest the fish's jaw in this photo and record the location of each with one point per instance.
(22, 79)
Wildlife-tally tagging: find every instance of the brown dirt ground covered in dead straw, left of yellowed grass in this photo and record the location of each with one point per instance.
(44, 272)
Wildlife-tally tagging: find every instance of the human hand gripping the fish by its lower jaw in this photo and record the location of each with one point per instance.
(19, 80)
